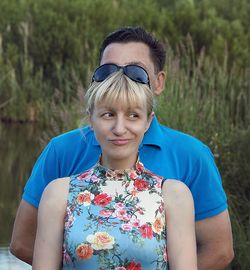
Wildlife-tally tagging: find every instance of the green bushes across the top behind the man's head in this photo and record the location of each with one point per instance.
(48, 40)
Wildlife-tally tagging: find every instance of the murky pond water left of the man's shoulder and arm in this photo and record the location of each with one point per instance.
(19, 147)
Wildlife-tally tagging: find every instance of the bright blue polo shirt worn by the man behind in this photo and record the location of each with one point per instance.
(164, 151)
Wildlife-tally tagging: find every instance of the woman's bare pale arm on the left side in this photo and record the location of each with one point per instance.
(49, 237)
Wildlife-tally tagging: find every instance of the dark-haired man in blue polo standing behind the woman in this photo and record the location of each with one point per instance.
(164, 151)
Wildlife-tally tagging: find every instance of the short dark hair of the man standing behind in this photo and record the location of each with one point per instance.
(137, 34)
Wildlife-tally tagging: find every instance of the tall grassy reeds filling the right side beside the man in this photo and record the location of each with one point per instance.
(212, 102)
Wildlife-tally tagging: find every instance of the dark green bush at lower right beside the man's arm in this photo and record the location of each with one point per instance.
(234, 166)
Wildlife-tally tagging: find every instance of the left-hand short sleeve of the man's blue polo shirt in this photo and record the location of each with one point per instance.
(45, 170)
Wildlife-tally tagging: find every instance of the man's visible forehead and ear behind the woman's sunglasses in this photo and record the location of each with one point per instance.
(134, 53)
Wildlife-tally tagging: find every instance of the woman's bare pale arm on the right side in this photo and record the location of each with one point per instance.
(179, 207)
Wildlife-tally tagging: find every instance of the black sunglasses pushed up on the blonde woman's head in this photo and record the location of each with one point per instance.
(134, 72)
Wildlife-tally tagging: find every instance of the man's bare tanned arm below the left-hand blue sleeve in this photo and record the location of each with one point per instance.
(24, 232)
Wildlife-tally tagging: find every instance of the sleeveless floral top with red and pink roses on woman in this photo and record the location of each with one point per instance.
(115, 220)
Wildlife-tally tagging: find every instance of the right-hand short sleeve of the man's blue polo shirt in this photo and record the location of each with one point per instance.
(206, 186)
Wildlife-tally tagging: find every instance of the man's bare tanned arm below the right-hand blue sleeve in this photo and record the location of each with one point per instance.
(214, 242)
